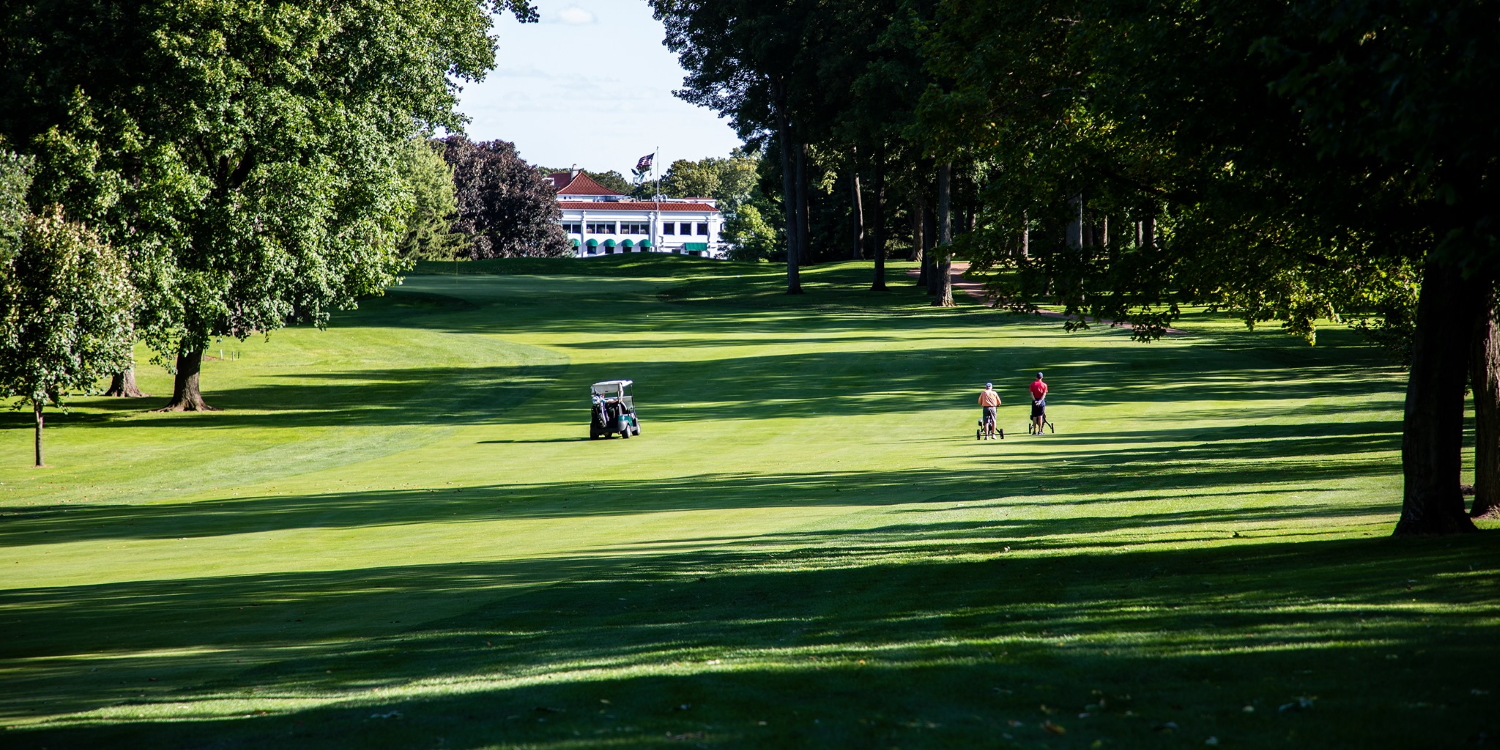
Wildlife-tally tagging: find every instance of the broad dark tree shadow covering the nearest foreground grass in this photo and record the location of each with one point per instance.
(1373, 644)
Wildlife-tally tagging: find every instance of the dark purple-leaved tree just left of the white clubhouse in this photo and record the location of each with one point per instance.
(506, 206)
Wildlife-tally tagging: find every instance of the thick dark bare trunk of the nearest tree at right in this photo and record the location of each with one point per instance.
(1432, 443)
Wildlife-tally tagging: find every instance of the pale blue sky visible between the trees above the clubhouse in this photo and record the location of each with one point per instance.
(592, 85)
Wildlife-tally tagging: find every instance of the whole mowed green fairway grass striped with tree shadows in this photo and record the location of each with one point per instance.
(397, 535)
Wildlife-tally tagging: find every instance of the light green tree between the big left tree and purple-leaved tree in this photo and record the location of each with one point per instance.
(434, 211)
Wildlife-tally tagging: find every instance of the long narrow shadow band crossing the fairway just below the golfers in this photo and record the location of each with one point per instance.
(1159, 464)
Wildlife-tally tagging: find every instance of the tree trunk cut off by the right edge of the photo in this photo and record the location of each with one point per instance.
(1484, 382)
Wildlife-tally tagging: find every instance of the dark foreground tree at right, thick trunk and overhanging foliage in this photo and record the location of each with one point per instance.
(1289, 161)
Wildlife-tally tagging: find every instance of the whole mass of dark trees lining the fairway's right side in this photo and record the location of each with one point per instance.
(1288, 161)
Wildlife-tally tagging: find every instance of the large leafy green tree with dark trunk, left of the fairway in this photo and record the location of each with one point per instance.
(247, 157)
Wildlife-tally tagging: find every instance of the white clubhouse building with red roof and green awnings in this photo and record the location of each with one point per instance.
(602, 223)
